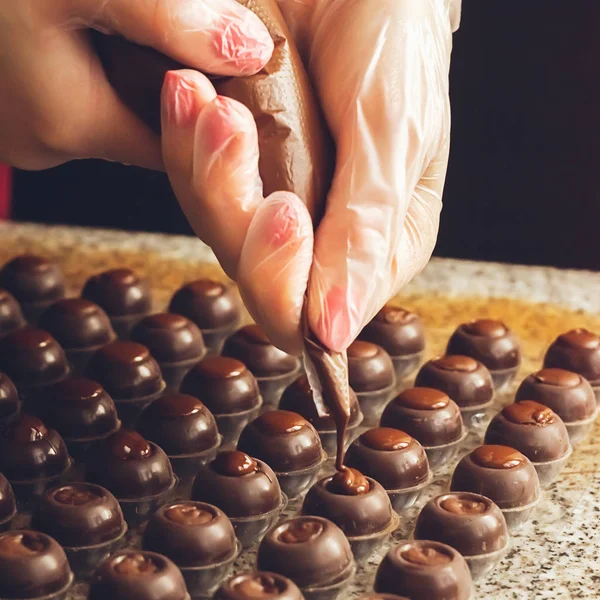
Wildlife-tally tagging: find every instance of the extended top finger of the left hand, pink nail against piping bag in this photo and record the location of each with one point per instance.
(215, 36)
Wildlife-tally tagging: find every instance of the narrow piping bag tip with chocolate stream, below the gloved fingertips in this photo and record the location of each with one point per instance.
(327, 373)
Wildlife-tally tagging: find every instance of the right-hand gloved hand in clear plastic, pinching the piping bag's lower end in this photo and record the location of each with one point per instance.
(381, 70)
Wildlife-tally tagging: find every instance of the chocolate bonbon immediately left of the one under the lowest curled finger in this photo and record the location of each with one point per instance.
(174, 341)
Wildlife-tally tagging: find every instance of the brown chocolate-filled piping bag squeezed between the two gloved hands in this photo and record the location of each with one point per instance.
(296, 154)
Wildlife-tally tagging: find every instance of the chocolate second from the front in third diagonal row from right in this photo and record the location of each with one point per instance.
(191, 534)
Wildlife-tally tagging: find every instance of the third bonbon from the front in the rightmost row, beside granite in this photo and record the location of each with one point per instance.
(503, 475)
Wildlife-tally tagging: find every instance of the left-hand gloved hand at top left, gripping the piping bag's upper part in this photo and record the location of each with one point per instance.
(55, 102)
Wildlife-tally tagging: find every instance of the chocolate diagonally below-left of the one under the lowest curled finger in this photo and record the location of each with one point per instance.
(225, 385)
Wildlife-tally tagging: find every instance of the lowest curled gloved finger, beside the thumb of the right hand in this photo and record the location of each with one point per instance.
(274, 267)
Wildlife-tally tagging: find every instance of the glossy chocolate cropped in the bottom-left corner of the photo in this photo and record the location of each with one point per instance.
(32, 565)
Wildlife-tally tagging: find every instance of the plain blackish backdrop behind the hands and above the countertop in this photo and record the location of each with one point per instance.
(523, 179)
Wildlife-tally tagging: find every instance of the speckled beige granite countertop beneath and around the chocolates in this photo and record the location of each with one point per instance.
(555, 554)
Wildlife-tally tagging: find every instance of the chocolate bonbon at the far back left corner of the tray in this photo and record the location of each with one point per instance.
(35, 281)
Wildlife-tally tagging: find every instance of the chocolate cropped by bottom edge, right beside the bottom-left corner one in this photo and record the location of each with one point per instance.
(137, 575)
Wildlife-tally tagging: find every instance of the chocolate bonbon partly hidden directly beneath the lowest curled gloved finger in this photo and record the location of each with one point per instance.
(274, 369)
